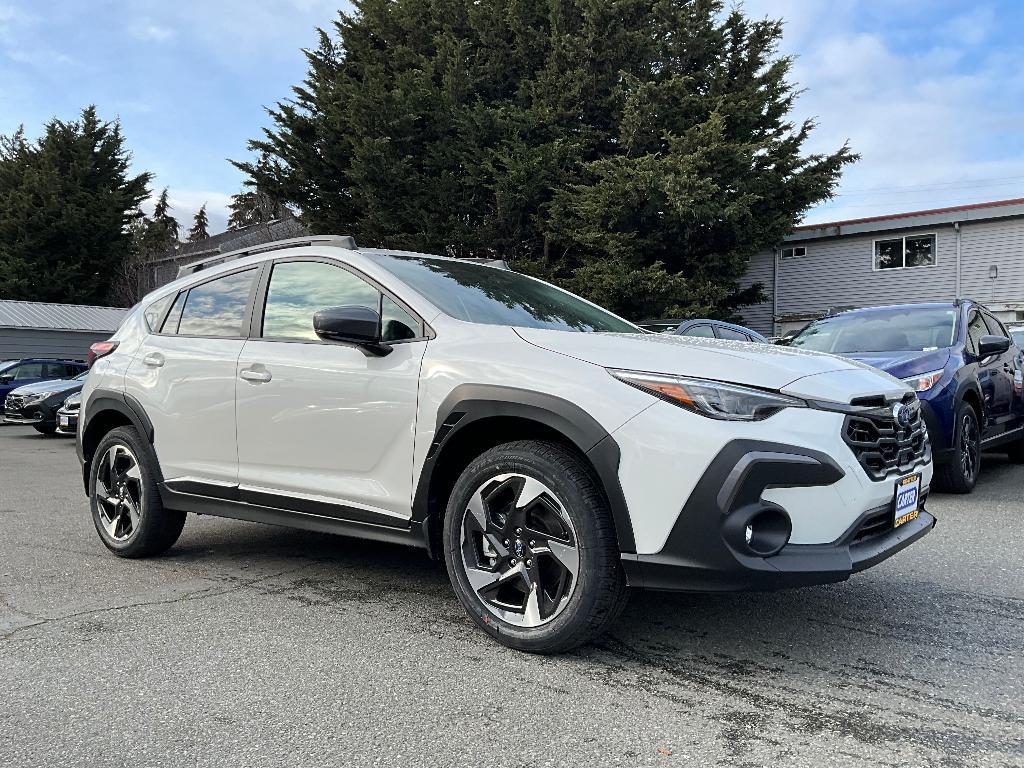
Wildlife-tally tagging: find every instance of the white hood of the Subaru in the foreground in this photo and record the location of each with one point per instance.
(794, 371)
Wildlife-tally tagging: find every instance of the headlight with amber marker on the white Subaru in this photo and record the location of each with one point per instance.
(716, 400)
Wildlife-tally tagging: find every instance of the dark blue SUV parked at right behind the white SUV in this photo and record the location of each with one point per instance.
(962, 362)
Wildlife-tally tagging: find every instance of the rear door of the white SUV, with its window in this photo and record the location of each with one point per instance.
(184, 376)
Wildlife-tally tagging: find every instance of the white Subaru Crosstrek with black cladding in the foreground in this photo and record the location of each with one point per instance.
(553, 454)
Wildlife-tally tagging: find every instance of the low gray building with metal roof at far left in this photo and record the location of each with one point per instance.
(33, 329)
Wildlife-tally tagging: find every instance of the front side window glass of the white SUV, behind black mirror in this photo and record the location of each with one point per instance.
(301, 289)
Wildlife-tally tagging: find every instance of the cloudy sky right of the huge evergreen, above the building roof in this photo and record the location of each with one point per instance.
(934, 111)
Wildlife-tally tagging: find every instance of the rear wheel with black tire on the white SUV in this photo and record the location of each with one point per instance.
(155, 529)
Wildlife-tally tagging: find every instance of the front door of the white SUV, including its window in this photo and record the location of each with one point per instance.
(323, 428)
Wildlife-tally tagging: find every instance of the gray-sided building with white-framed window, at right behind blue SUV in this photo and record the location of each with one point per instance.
(974, 251)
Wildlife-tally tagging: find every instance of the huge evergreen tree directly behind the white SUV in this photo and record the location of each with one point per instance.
(637, 151)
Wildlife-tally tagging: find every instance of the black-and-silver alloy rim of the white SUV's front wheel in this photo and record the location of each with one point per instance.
(520, 550)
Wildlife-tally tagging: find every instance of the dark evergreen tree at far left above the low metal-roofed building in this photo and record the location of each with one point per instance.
(67, 205)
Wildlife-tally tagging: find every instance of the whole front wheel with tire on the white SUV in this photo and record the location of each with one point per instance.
(531, 548)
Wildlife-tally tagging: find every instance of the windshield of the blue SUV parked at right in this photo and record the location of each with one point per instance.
(881, 331)
